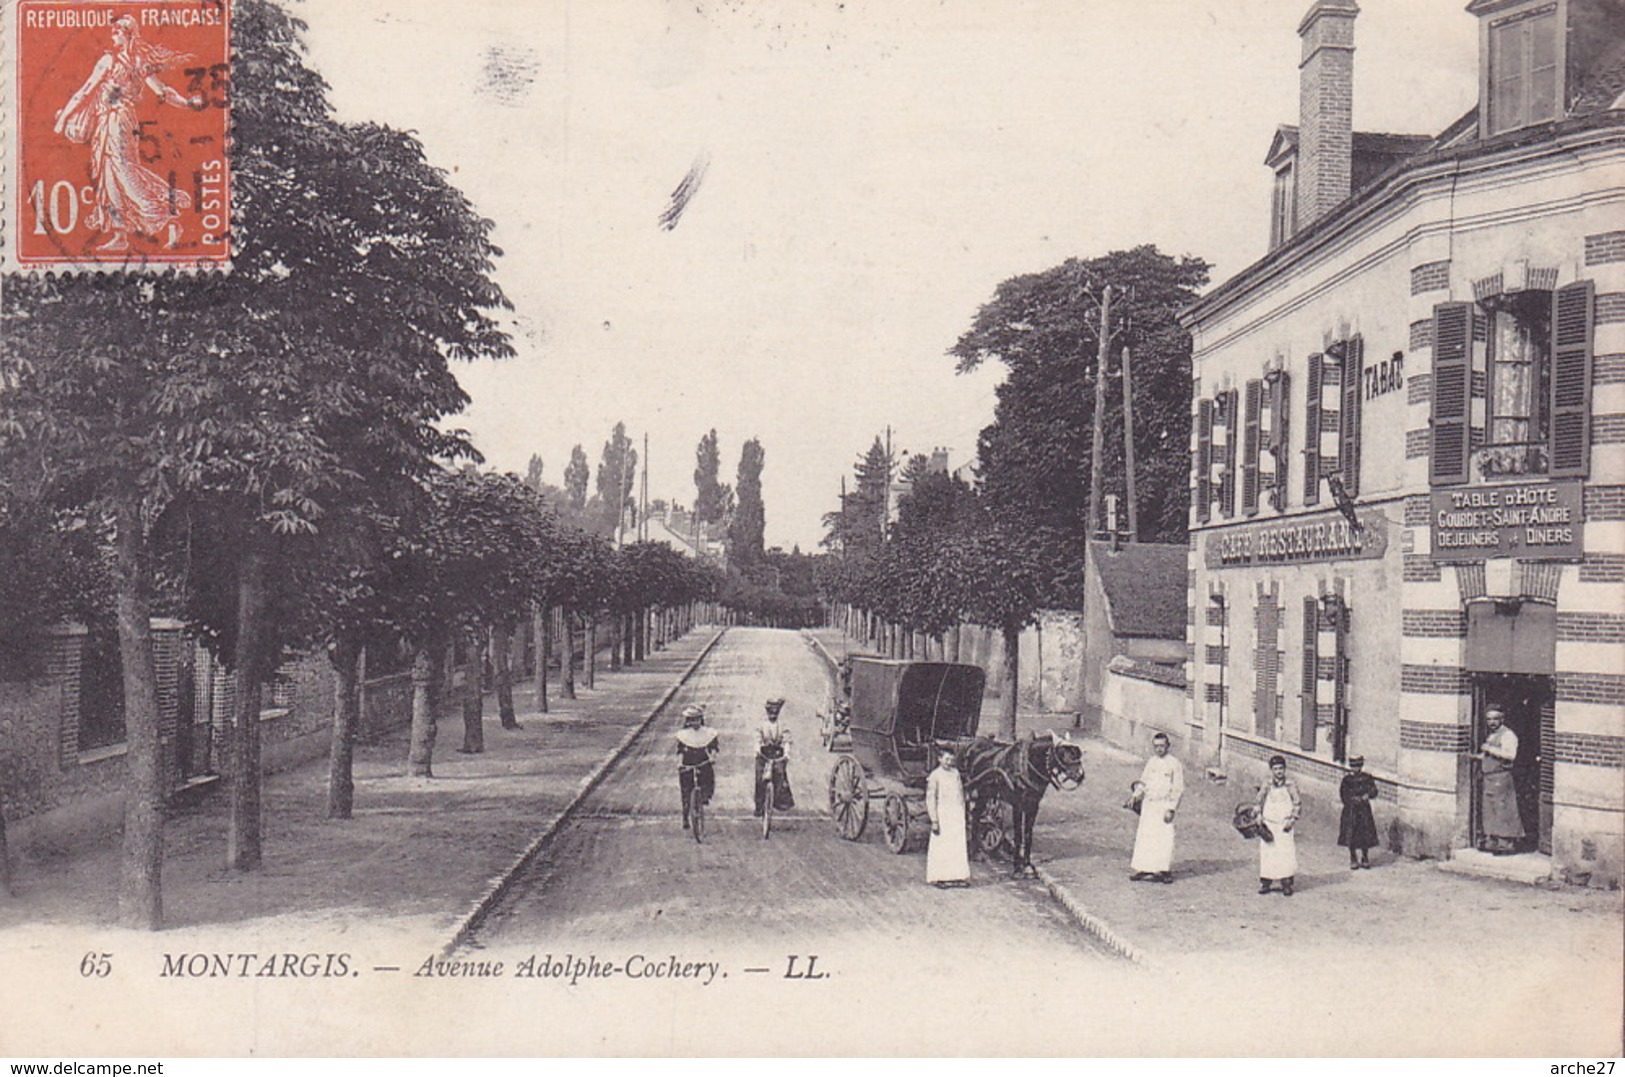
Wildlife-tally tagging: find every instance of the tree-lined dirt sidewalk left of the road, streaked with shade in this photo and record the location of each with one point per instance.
(415, 860)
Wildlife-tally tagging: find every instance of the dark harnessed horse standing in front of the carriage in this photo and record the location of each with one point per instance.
(1020, 774)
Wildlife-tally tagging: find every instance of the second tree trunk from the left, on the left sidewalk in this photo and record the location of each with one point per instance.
(243, 839)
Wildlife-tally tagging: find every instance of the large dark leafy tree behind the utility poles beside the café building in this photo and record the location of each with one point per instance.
(1044, 327)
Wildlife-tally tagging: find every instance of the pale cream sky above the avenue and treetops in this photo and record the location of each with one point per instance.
(869, 173)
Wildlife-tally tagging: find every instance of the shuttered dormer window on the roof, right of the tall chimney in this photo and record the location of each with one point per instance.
(1523, 67)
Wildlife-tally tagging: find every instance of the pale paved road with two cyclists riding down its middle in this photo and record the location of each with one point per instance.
(625, 880)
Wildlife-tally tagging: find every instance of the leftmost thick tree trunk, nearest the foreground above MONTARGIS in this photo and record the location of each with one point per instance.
(141, 876)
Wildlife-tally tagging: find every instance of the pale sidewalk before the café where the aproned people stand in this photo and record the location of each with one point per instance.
(1402, 907)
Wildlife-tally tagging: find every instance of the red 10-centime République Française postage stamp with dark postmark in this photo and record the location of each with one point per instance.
(121, 124)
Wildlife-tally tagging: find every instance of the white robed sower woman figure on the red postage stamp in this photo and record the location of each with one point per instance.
(129, 197)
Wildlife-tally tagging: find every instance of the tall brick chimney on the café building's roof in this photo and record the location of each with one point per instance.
(1325, 108)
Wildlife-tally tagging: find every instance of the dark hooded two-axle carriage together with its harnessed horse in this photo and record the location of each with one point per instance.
(898, 716)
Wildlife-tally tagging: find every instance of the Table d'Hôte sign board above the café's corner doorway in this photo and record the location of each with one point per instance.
(1532, 521)
